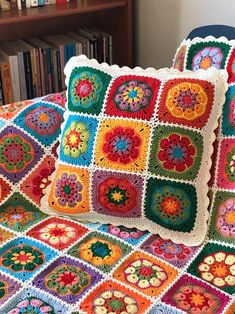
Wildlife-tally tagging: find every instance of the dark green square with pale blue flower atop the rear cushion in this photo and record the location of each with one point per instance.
(204, 55)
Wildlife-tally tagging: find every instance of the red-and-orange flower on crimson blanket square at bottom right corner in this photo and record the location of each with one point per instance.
(196, 299)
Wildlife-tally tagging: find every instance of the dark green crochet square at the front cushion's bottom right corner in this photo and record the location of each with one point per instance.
(172, 206)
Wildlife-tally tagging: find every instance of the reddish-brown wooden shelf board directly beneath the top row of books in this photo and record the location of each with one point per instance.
(55, 11)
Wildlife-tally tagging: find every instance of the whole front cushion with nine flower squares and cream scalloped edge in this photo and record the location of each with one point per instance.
(135, 148)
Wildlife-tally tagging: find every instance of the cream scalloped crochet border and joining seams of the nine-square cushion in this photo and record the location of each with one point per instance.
(218, 78)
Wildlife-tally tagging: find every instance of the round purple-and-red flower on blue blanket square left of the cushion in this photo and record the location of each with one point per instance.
(43, 120)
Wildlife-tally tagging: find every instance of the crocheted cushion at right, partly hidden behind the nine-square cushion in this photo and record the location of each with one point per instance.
(219, 53)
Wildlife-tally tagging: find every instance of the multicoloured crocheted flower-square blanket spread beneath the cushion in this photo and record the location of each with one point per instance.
(56, 265)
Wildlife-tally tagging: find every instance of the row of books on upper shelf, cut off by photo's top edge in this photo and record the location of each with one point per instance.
(21, 4)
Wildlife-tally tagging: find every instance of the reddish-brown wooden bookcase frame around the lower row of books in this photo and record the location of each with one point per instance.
(112, 16)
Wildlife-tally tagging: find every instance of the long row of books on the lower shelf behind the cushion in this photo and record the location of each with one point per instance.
(35, 67)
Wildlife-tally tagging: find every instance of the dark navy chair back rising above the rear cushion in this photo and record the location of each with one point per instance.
(213, 30)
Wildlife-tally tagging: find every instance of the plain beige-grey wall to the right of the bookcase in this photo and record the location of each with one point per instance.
(160, 25)
